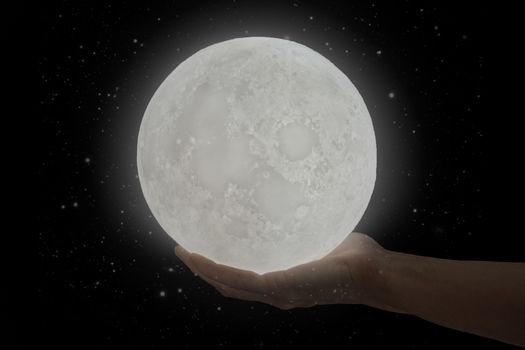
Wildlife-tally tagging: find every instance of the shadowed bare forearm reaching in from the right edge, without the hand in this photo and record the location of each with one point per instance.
(484, 298)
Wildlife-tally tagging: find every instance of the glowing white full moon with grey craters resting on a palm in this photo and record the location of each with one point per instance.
(258, 153)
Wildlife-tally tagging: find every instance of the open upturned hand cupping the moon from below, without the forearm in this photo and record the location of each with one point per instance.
(343, 276)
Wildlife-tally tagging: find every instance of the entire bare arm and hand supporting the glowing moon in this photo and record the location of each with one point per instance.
(480, 297)
